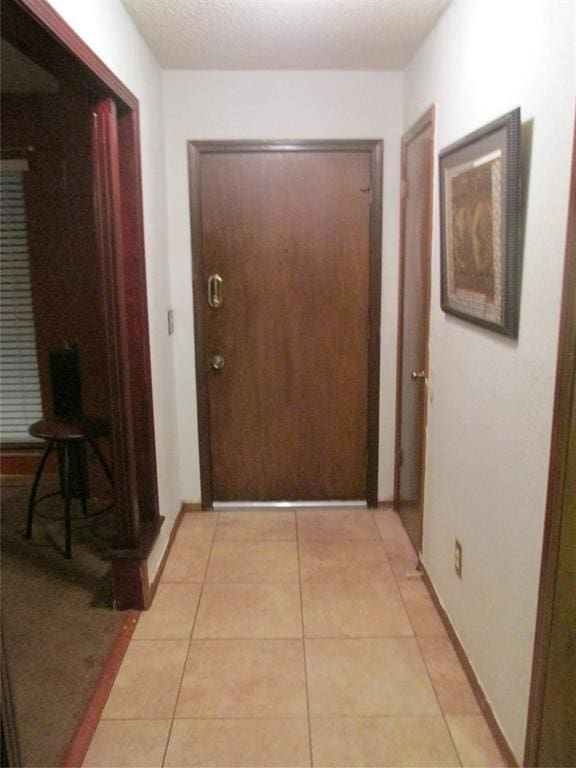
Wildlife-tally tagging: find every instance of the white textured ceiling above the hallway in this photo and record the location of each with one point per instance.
(284, 34)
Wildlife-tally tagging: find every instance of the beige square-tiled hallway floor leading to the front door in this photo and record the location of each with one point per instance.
(291, 638)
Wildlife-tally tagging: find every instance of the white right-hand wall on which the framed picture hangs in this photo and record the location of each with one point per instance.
(491, 398)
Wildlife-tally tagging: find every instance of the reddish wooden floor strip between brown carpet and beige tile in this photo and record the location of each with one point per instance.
(80, 742)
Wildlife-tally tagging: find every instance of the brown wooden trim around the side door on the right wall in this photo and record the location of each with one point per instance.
(428, 119)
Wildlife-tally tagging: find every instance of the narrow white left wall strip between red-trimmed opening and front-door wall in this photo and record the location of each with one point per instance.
(106, 27)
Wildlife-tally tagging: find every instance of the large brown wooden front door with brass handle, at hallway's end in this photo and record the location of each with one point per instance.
(282, 243)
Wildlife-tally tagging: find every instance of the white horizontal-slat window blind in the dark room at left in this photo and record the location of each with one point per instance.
(20, 398)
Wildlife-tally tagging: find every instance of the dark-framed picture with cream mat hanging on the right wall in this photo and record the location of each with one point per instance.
(479, 225)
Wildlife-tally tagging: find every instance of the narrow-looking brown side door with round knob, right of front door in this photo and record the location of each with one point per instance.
(414, 307)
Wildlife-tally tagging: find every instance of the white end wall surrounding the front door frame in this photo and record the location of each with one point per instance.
(276, 105)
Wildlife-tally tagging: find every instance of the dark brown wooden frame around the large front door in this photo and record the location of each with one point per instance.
(375, 147)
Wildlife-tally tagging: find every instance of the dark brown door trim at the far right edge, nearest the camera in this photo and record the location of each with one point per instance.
(557, 477)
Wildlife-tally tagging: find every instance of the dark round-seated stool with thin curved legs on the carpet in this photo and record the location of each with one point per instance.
(70, 435)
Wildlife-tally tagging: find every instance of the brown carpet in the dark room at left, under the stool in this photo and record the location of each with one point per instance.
(58, 622)
